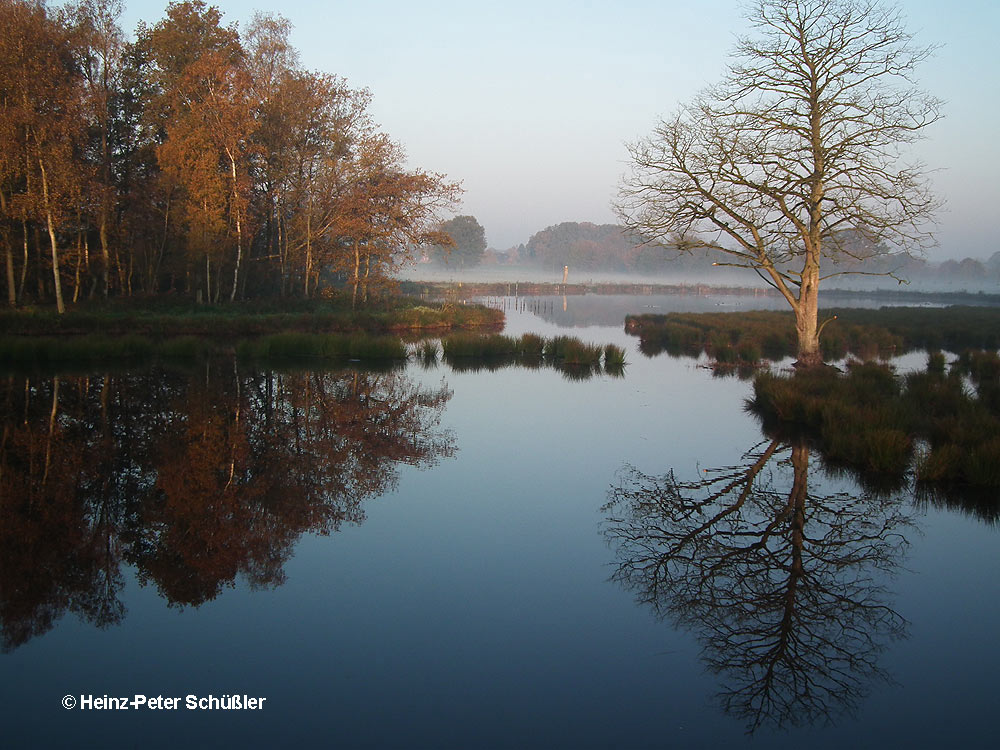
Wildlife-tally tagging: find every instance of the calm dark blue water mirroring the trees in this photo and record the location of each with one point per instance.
(500, 558)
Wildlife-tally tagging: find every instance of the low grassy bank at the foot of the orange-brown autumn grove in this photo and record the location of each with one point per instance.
(132, 331)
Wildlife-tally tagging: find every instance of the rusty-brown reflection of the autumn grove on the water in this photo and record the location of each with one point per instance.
(195, 480)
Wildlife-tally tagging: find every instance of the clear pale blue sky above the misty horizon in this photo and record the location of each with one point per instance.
(530, 103)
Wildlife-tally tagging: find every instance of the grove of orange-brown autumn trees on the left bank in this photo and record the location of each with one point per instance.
(196, 159)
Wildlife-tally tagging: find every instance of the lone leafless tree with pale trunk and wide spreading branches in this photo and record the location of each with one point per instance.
(796, 155)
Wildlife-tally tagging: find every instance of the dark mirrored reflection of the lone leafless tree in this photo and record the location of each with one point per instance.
(785, 588)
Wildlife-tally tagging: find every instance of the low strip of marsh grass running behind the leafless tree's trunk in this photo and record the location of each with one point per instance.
(736, 340)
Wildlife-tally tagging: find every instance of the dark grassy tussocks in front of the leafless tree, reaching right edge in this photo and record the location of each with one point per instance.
(945, 424)
